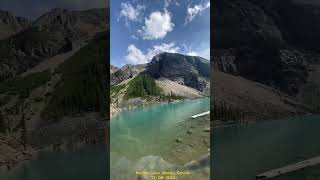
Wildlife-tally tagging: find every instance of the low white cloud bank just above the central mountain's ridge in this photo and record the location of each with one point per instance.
(136, 56)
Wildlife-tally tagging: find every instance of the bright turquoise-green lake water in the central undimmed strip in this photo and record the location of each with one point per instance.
(146, 137)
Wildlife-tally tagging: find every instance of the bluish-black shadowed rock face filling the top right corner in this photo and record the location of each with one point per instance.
(299, 21)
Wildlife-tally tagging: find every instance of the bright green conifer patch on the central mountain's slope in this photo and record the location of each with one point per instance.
(141, 86)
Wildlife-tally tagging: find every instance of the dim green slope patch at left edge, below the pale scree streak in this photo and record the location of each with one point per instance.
(22, 86)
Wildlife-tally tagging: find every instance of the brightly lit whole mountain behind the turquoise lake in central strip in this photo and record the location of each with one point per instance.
(167, 77)
